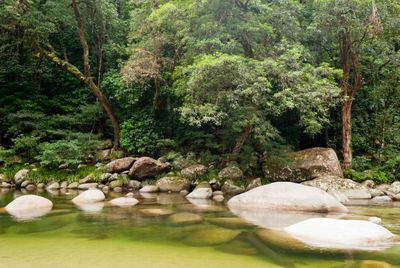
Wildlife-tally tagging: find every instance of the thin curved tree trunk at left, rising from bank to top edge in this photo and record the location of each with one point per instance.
(87, 79)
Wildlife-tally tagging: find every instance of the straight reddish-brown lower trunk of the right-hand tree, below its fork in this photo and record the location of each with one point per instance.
(346, 134)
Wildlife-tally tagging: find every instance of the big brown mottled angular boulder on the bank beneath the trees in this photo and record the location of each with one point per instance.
(303, 165)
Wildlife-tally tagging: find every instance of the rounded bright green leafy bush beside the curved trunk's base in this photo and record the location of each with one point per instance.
(139, 134)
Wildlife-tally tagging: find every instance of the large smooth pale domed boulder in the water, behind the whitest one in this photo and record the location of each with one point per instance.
(287, 196)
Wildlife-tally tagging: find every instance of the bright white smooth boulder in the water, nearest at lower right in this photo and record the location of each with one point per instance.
(341, 234)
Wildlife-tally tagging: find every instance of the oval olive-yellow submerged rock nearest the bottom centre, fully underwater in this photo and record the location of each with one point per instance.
(211, 236)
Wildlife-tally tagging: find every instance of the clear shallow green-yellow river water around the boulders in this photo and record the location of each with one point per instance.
(124, 237)
